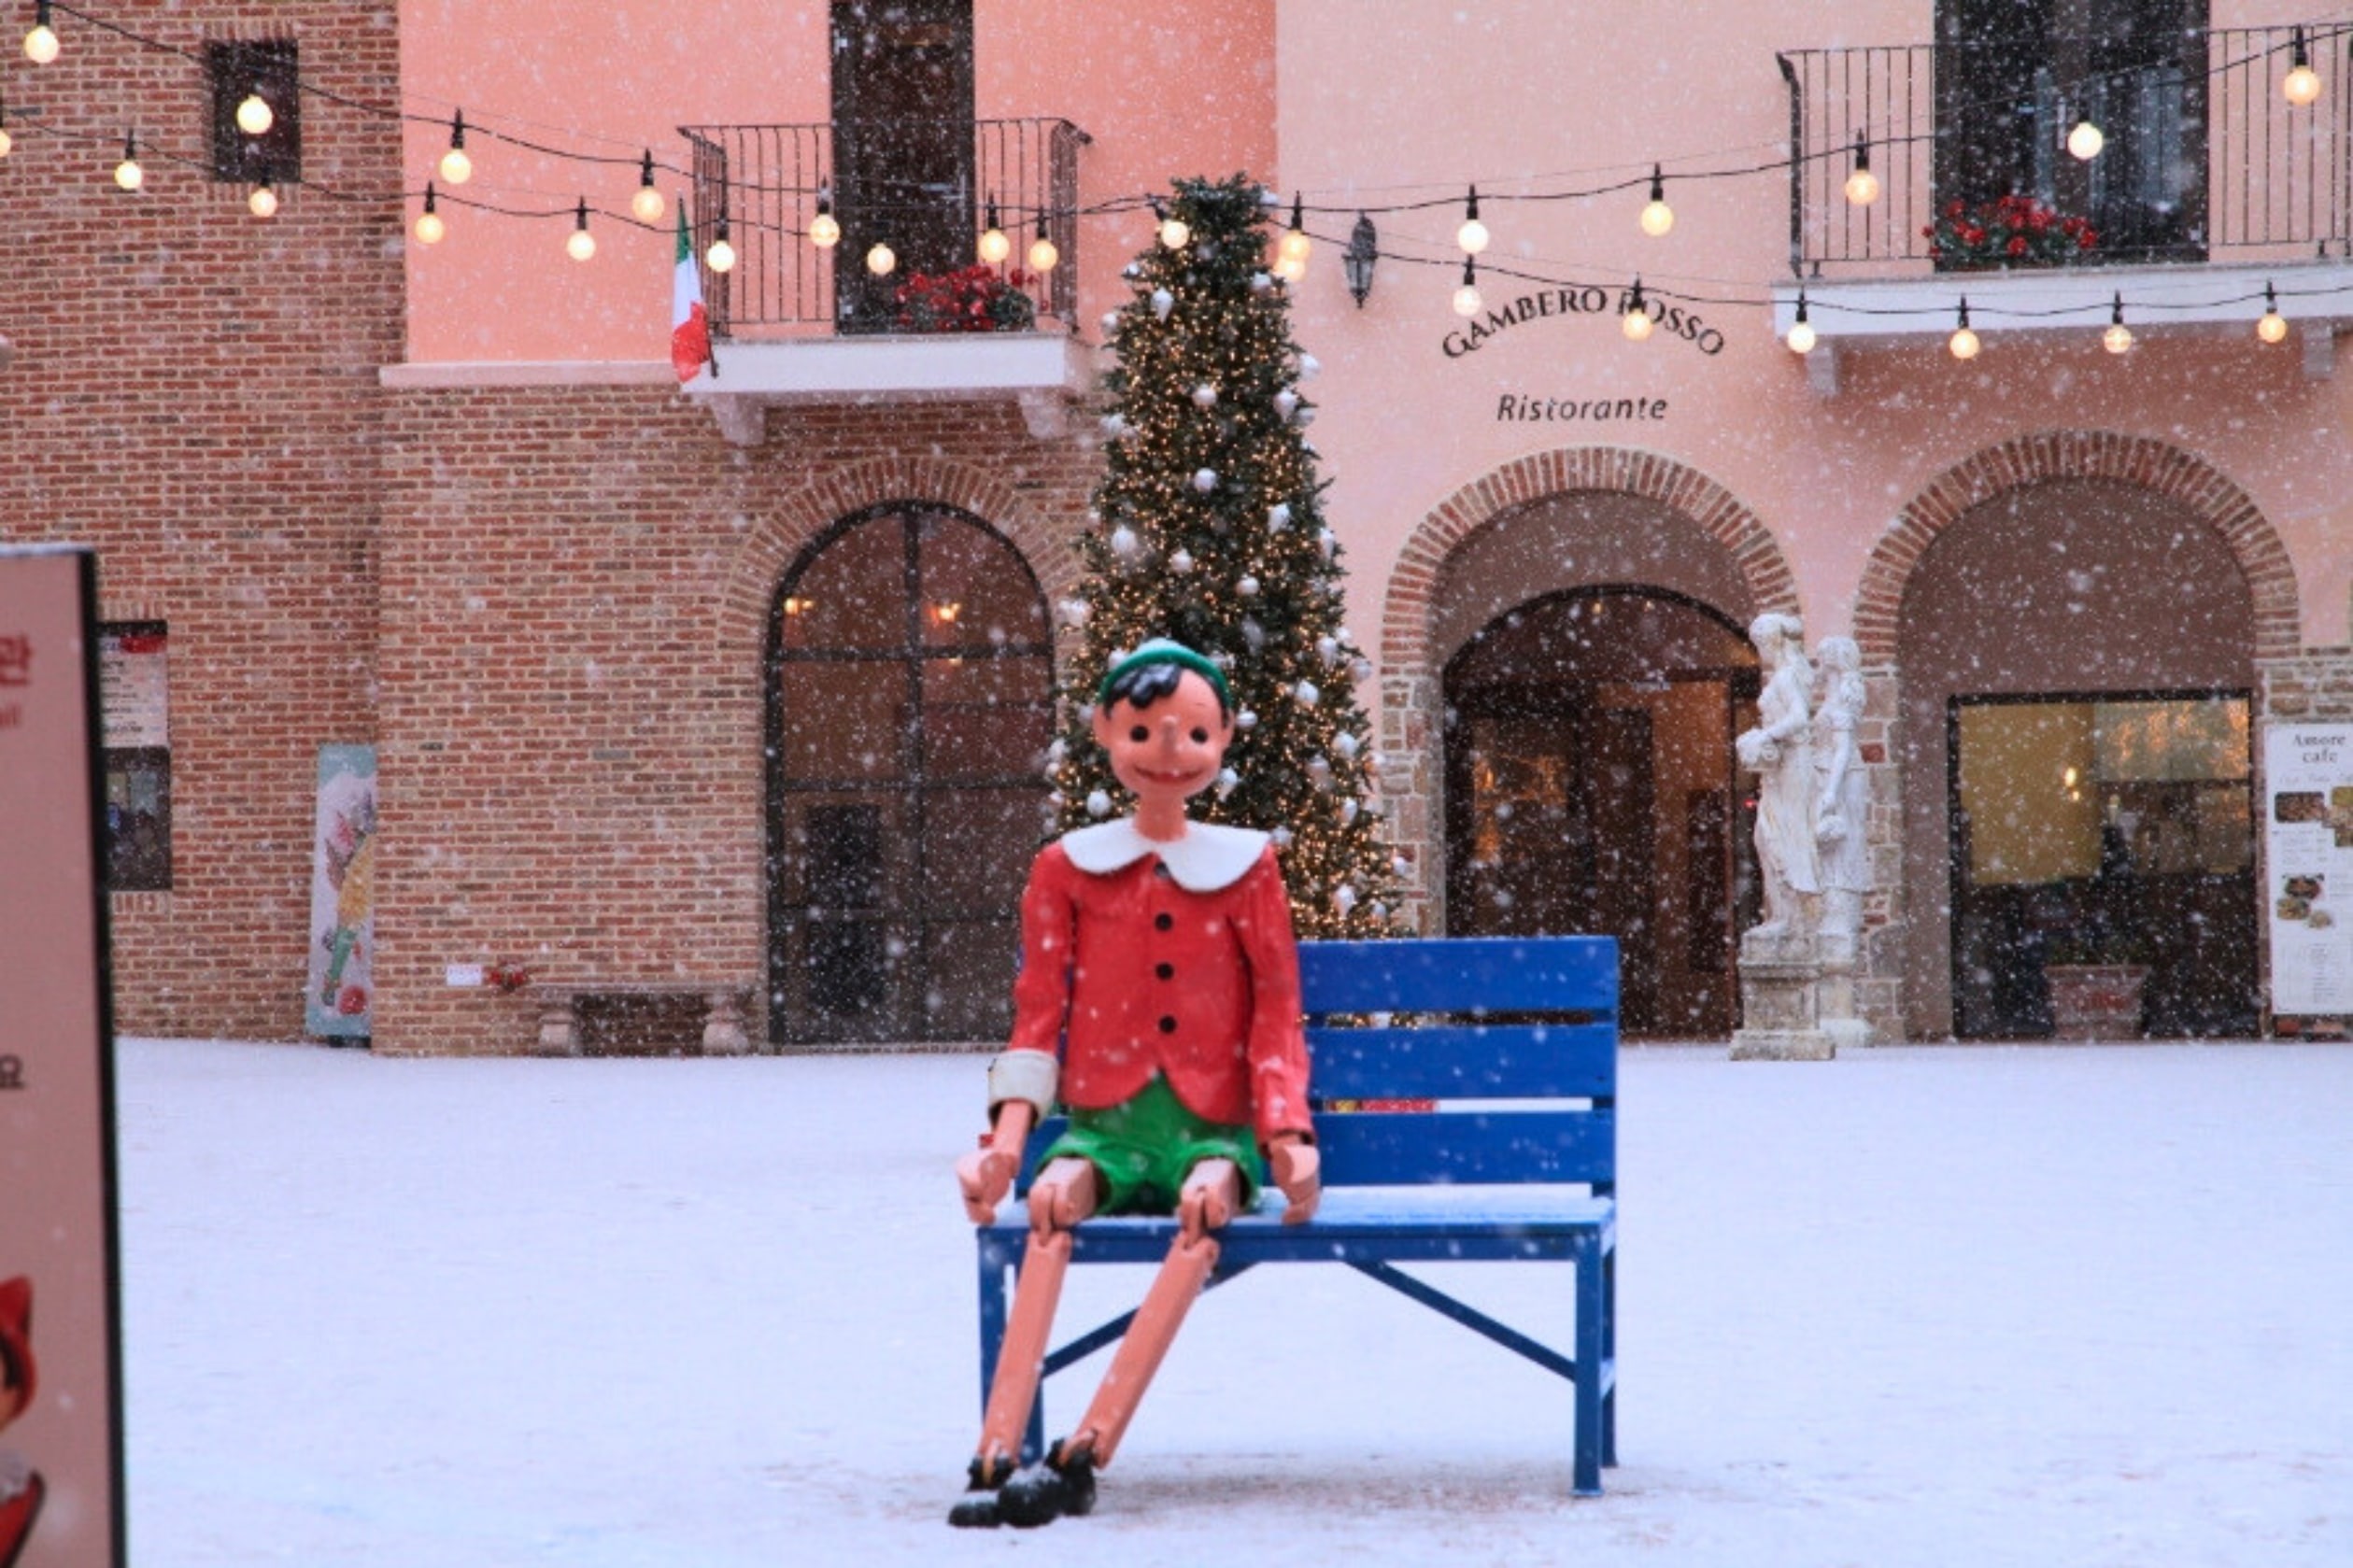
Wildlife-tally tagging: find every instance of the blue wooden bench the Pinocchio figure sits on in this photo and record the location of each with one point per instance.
(1524, 1031)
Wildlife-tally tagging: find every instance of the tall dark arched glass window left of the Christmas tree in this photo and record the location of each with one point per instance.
(909, 699)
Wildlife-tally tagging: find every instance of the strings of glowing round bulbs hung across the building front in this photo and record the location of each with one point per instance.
(1639, 304)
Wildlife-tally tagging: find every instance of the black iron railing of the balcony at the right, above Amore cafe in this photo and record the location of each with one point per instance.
(2204, 161)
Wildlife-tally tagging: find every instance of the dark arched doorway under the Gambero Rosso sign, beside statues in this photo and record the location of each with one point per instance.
(1592, 789)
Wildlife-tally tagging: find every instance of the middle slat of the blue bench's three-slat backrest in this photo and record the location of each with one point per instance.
(1465, 1061)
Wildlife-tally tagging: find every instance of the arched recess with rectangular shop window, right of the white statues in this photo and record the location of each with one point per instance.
(2079, 681)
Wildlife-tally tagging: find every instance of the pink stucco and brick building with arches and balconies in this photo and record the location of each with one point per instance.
(622, 650)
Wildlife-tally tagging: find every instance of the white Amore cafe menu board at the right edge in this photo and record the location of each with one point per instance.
(2309, 869)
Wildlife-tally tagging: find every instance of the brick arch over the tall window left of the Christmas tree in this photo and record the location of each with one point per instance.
(799, 518)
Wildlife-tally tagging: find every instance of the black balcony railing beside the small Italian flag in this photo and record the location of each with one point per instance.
(926, 192)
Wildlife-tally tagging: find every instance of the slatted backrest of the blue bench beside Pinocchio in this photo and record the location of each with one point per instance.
(1519, 1026)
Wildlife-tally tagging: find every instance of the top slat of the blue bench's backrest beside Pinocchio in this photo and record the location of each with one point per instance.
(1458, 974)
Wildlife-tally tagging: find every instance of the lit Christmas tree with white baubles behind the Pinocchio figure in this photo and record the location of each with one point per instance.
(1208, 528)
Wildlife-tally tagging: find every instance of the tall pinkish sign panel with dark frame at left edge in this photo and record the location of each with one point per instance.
(60, 1311)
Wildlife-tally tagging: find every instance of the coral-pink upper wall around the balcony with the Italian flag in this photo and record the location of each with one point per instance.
(1166, 88)
